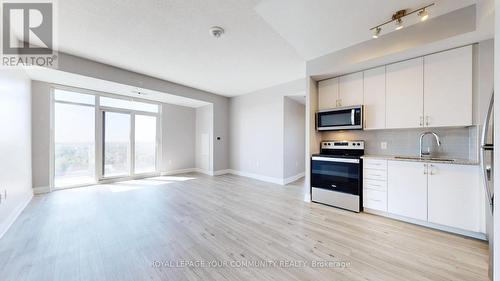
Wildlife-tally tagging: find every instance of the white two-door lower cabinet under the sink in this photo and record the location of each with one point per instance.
(443, 195)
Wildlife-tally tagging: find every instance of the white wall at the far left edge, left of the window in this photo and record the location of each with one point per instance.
(15, 145)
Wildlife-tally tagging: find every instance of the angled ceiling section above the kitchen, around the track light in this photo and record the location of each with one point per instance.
(318, 27)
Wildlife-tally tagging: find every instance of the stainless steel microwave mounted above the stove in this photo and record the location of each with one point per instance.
(341, 118)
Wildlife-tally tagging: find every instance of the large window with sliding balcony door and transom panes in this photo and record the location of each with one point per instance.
(127, 140)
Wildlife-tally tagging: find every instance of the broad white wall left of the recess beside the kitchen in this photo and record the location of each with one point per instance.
(257, 132)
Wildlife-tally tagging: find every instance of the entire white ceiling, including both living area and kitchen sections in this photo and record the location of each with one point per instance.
(266, 42)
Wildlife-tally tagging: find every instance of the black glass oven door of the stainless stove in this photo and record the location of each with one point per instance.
(336, 174)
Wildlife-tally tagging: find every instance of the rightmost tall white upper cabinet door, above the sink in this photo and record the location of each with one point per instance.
(448, 88)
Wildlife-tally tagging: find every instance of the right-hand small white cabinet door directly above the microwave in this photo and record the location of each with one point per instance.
(351, 89)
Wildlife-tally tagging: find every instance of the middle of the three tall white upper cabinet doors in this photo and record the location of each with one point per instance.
(404, 94)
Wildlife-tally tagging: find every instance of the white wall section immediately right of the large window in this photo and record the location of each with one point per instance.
(178, 138)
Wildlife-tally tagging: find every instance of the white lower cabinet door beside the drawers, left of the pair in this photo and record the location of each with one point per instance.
(407, 189)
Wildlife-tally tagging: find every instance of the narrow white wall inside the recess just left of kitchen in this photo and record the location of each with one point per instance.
(294, 138)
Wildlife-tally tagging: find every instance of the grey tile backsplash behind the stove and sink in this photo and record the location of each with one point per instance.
(455, 142)
